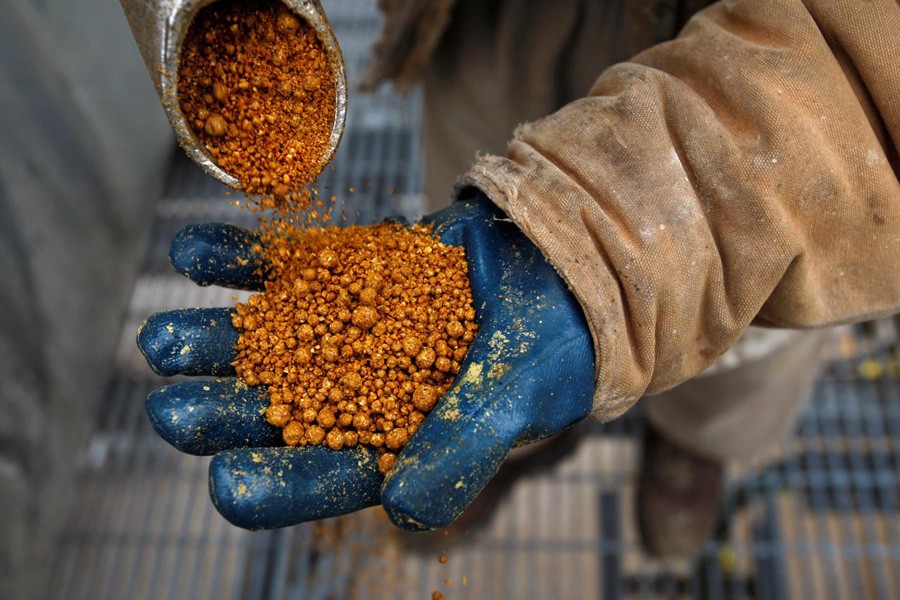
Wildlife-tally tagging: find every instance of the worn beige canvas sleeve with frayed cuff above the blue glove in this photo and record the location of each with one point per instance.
(745, 172)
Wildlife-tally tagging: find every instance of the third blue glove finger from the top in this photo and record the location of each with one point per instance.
(205, 417)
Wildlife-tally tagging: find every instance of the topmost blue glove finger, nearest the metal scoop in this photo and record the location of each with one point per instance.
(218, 254)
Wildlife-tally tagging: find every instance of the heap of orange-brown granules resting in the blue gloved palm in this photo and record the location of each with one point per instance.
(359, 332)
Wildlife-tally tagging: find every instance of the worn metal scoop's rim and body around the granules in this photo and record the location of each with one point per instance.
(159, 28)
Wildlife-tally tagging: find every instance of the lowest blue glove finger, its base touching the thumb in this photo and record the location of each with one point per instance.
(278, 487)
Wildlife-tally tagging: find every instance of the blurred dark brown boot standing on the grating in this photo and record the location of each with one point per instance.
(679, 495)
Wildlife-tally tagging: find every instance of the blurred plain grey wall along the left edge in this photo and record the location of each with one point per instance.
(83, 144)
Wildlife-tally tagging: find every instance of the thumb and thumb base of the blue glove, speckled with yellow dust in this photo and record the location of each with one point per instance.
(497, 401)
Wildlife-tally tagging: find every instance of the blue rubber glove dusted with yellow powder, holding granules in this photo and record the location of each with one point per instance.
(528, 374)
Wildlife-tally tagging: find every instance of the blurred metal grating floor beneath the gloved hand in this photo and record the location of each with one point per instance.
(821, 520)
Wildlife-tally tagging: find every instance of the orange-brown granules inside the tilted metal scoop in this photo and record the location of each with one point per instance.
(258, 90)
